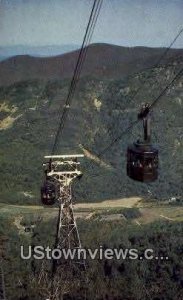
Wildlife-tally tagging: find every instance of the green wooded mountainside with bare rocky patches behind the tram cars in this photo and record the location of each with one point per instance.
(100, 111)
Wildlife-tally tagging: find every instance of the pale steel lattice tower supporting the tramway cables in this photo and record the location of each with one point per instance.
(64, 169)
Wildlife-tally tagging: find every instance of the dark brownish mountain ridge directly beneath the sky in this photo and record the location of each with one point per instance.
(103, 61)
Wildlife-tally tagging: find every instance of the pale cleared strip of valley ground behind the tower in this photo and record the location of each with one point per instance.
(108, 210)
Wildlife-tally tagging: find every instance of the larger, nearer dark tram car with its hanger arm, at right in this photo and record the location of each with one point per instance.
(142, 156)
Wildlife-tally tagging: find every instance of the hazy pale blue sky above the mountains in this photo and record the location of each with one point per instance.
(59, 22)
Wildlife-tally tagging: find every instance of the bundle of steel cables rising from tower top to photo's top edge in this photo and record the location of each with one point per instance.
(82, 55)
